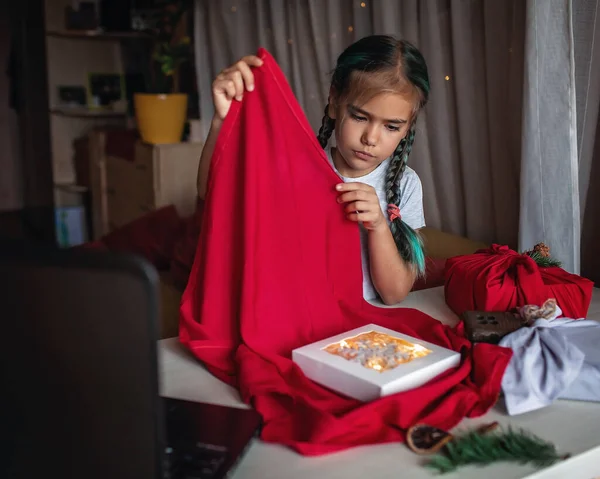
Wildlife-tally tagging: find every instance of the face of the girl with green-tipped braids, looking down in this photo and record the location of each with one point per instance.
(368, 134)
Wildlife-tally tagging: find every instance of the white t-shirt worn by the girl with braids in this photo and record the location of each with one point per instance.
(411, 208)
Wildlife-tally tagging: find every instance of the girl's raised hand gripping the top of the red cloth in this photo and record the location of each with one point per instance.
(231, 83)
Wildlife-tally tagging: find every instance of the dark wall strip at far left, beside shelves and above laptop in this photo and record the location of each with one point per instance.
(25, 149)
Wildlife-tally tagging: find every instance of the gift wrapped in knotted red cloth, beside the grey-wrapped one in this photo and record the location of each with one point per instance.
(500, 279)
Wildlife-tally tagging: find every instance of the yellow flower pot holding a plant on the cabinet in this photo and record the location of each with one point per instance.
(160, 118)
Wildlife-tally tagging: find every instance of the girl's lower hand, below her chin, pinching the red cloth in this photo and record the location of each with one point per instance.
(362, 204)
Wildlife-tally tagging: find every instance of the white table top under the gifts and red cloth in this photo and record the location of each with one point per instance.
(574, 427)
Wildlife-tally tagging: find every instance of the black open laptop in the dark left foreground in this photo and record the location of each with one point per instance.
(79, 377)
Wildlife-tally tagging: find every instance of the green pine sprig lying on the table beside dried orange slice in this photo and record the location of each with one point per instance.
(482, 449)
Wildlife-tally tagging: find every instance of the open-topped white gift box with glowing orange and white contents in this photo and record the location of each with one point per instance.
(365, 383)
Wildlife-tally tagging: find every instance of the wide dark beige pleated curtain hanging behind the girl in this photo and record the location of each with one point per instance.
(468, 144)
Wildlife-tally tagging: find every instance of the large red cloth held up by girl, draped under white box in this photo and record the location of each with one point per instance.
(278, 266)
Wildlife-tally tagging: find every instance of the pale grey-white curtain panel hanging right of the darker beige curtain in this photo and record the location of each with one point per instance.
(549, 170)
